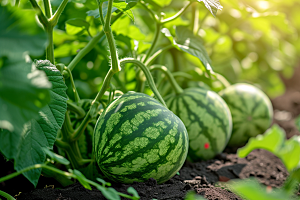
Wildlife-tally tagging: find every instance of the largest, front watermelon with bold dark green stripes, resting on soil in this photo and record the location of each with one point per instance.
(137, 138)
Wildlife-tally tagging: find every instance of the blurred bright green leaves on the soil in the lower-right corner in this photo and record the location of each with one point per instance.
(288, 151)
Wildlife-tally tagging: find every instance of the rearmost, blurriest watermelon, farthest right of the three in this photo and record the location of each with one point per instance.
(251, 111)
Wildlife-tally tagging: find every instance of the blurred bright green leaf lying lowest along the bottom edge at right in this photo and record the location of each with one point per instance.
(250, 189)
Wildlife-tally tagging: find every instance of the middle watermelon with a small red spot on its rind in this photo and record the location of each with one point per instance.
(207, 119)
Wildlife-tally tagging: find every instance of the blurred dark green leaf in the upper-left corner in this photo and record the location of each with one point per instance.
(16, 36)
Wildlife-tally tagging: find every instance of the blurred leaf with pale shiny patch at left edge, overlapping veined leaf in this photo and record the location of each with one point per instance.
(24, 90)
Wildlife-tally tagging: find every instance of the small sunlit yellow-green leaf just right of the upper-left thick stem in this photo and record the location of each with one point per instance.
(76, 26)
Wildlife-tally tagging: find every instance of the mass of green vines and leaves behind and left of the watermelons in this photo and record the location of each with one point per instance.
(98, 50)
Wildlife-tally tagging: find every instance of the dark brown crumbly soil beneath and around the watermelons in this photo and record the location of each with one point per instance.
(201, 177)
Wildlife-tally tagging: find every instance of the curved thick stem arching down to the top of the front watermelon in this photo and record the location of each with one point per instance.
(147, 74)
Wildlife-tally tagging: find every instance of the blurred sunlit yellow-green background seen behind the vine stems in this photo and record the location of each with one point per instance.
(248, 41)
